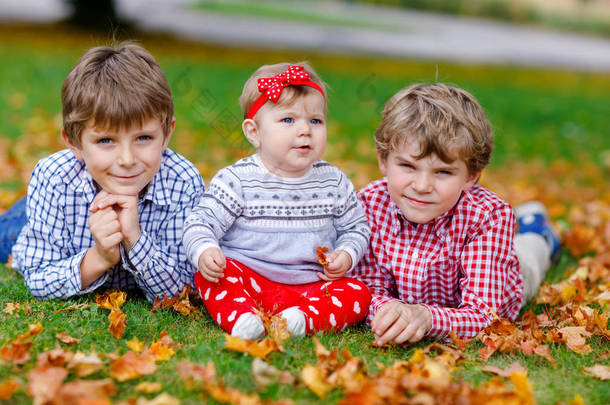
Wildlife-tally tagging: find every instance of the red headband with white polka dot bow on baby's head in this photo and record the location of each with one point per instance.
(271, 87)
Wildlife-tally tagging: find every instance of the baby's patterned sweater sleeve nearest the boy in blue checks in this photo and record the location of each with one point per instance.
(216, 211)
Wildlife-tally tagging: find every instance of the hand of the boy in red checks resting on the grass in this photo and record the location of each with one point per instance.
(398, 322)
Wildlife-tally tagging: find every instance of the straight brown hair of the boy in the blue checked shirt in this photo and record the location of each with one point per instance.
(115, 88)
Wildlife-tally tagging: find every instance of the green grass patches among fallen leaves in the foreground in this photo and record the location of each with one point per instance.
(203, 342)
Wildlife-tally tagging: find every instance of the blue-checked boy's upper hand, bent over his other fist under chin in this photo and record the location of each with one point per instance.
(126, 207)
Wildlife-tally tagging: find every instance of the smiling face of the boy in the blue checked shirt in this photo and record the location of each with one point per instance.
(122, 162)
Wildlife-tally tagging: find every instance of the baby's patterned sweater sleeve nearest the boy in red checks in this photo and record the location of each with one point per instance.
(353, 231)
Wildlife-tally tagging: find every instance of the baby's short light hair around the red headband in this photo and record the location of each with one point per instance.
(289, 95)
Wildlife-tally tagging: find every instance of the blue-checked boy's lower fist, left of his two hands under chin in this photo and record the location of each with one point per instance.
(106, 230)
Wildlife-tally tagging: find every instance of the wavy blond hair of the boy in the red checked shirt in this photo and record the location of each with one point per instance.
(446, 121)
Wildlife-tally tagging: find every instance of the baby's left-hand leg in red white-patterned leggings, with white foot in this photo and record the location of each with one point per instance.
(229, 303)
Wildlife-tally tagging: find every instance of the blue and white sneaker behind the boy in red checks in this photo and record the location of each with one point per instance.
(532, 217)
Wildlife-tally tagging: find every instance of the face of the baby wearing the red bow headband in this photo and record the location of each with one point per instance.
(289, 138)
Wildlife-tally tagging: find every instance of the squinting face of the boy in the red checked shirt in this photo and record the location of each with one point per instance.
(426, 188)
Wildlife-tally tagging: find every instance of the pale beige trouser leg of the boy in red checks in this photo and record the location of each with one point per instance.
(535, 258)
